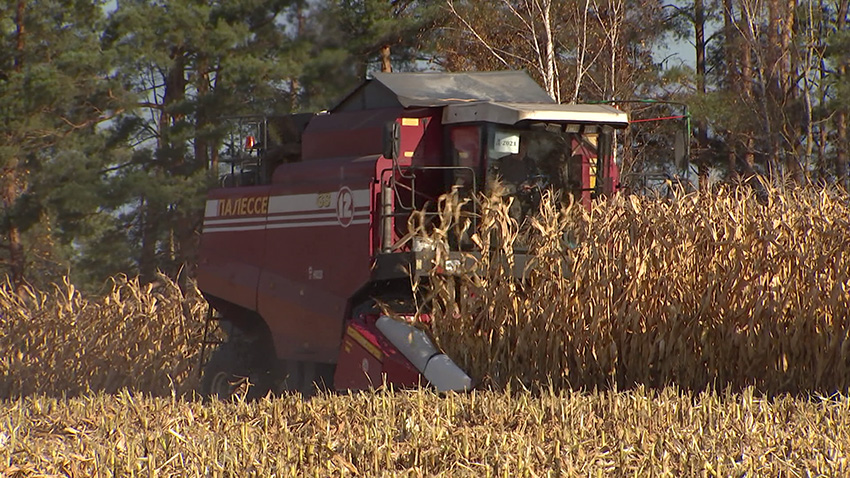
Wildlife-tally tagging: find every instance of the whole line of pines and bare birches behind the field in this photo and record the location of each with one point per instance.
(114, 114)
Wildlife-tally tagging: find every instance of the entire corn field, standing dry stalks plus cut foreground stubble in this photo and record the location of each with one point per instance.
(742, 297)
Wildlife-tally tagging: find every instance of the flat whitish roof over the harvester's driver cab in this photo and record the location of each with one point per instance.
(513, 113)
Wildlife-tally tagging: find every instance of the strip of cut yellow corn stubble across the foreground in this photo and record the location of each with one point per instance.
(417, 433)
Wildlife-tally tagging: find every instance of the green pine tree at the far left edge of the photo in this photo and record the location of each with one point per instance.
(55, 92)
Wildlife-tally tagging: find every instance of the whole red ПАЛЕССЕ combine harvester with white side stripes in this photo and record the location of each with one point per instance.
(299, 245)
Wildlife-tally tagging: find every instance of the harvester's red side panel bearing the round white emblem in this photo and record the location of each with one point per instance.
(318, 253)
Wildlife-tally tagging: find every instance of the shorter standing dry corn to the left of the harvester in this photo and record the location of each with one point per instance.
(138, 337)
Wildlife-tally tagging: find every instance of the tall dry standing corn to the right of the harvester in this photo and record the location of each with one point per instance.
(702, 291)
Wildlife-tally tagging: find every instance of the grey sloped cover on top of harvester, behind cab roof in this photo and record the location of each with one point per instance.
(407, 90)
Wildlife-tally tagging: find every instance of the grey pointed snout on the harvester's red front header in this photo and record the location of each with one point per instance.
(435, 366)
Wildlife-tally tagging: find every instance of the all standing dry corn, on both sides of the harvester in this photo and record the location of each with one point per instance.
(728, 290)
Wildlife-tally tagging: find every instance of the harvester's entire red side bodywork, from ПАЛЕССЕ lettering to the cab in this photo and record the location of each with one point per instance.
(301, 259)
